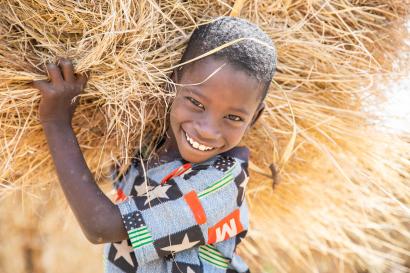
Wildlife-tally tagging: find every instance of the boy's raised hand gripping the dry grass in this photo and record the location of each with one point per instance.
(59, 95)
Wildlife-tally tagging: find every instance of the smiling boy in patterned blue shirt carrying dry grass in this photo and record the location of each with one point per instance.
(187, 213)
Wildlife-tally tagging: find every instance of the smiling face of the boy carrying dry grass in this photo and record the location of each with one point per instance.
(212, 117)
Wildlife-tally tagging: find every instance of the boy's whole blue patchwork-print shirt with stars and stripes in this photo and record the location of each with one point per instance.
(192, 223)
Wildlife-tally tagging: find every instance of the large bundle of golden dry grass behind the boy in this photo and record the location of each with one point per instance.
(342, 203)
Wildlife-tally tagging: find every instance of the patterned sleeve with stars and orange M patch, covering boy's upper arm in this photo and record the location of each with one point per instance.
(201, 206)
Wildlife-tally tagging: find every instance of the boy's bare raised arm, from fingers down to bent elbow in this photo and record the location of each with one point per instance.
(99, 218)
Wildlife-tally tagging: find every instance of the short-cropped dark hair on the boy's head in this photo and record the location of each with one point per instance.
(256, 58)
